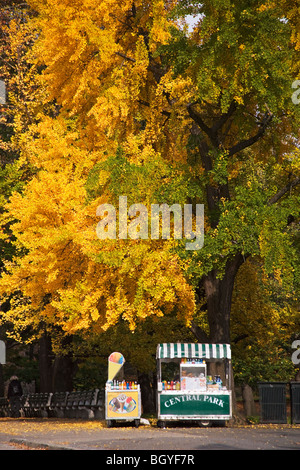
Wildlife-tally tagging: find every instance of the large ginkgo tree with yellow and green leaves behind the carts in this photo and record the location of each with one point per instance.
(162, 112)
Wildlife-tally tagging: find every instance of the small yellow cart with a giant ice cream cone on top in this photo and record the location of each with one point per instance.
(122, 398)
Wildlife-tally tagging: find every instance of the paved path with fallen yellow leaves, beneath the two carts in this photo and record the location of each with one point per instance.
(80, 435)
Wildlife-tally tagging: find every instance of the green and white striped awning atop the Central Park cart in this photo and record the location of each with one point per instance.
(193, 350)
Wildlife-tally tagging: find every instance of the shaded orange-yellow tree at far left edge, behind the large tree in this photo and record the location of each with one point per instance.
(18, 110)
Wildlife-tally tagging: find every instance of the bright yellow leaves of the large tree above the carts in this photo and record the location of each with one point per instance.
(102, 70)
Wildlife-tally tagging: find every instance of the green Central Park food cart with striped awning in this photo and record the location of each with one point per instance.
(191, 389)
